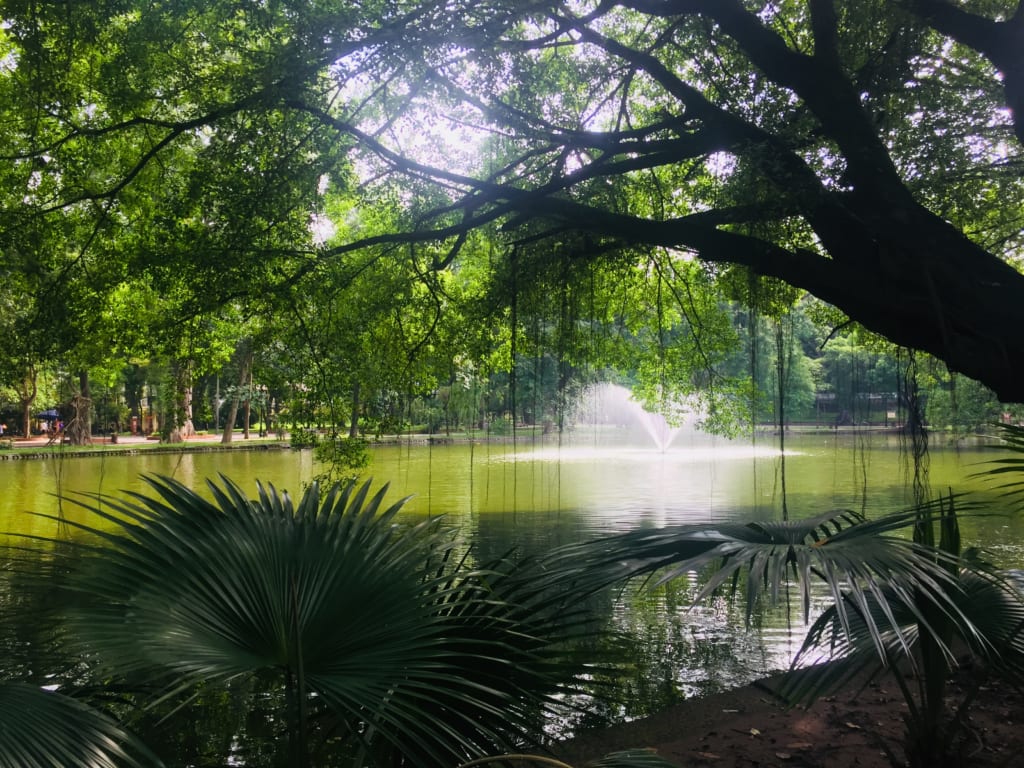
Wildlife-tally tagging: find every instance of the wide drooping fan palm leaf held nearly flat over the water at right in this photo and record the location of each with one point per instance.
(872, 574)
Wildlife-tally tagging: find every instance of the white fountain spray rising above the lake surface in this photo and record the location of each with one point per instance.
(613, 407)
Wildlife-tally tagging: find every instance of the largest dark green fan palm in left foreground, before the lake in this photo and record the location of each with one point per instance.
(381, 637)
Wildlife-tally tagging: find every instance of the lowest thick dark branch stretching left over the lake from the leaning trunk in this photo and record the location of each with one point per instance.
(967, 318)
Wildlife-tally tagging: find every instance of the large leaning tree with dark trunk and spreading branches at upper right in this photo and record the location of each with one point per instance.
(798, 140)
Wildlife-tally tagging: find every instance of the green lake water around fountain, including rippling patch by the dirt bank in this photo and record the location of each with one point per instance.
(536, 495)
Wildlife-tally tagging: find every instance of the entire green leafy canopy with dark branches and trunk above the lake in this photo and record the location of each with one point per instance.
(552, 195)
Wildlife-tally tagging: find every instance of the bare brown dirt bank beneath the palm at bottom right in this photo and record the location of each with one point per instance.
(752, 729)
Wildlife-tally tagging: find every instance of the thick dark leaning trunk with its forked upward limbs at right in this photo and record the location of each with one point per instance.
(893, 266)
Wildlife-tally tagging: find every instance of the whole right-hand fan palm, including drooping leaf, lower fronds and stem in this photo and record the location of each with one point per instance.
(899, 604)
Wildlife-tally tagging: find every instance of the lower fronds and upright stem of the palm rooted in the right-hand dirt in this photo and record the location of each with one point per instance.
(982, 629)
